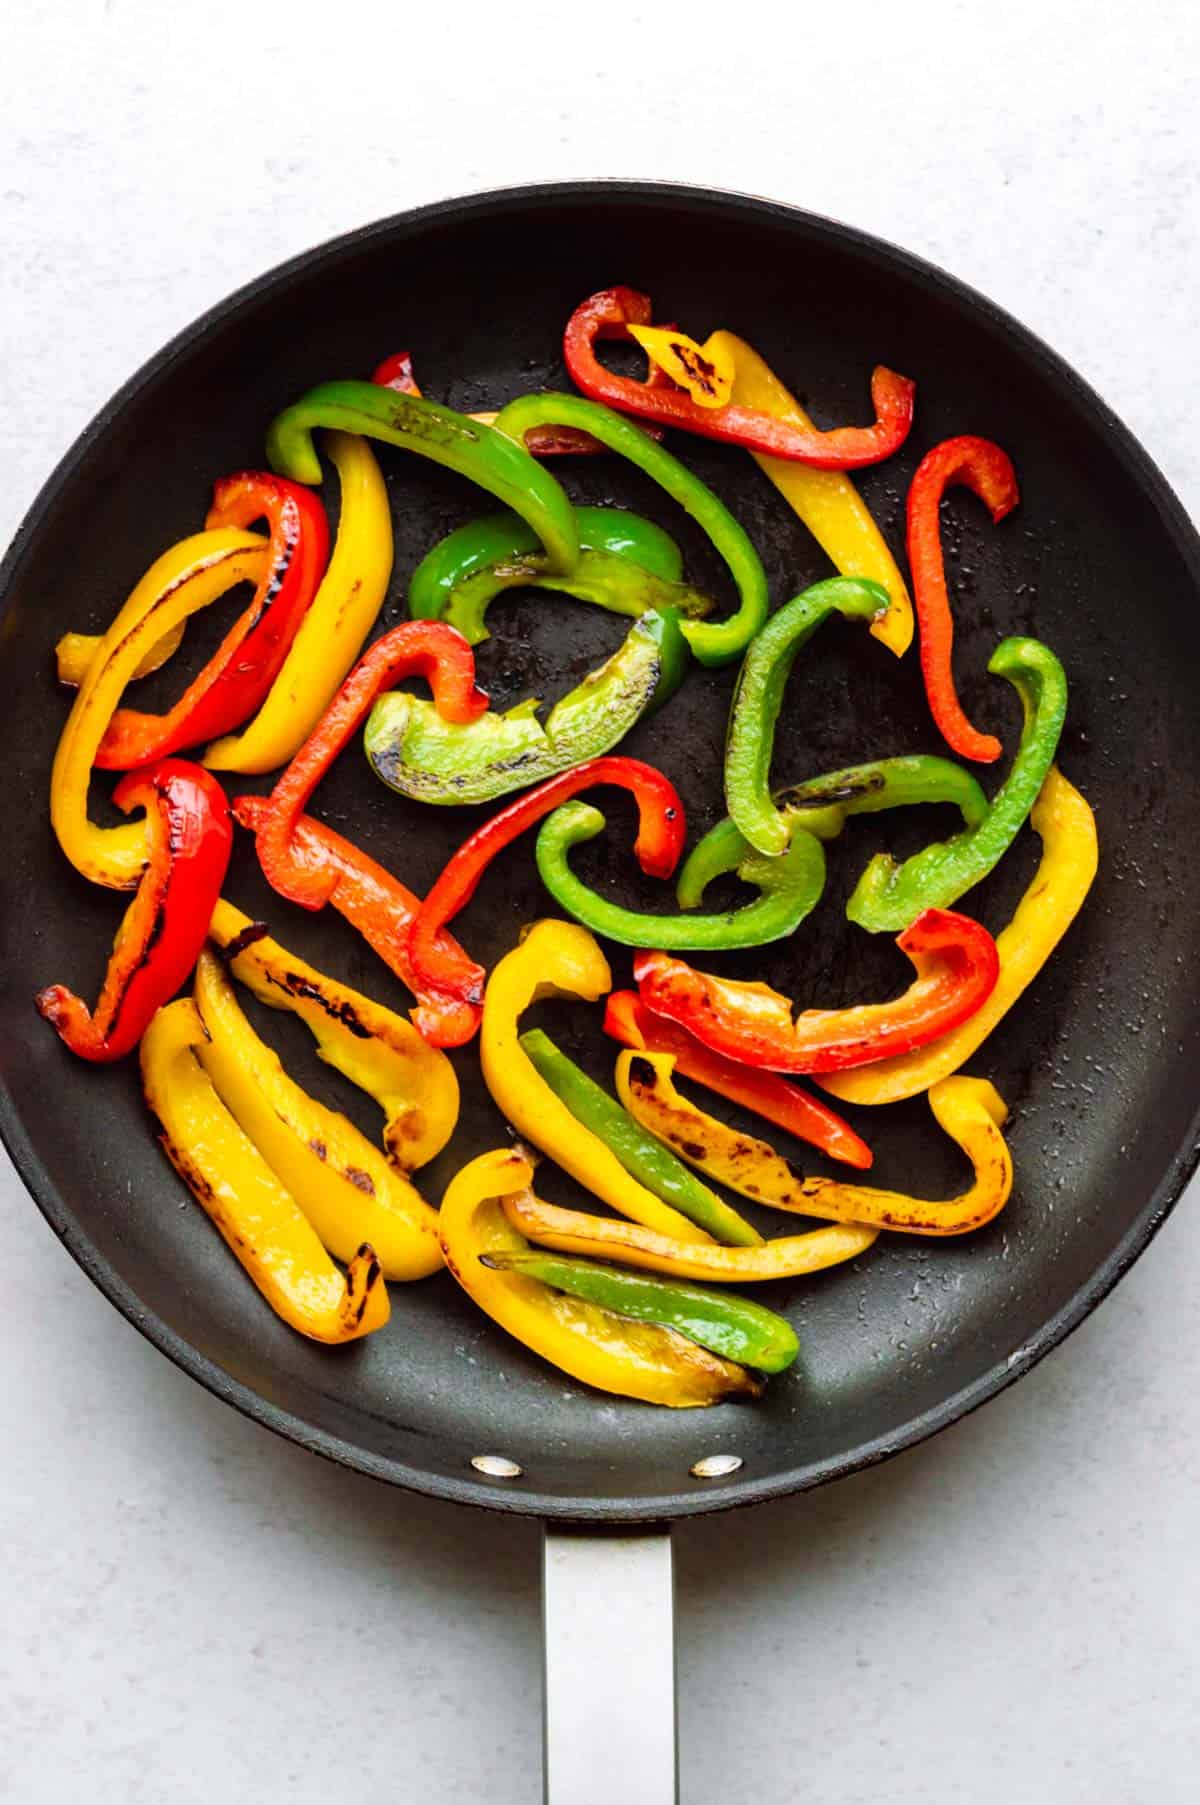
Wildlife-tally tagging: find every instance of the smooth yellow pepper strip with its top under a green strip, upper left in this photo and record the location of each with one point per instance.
(335, 629)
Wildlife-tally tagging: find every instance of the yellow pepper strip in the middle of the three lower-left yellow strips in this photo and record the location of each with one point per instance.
(344, 1185)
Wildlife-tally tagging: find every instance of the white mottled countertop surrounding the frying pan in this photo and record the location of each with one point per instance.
(198, 1611)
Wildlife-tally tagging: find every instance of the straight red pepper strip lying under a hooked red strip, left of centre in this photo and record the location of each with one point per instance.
(376, 905)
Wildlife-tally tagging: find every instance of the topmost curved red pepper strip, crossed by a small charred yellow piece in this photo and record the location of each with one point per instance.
(613, 311)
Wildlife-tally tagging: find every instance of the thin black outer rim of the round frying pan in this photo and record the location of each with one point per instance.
(474, 1490)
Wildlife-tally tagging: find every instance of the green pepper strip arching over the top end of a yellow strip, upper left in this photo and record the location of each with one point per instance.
(479, 452)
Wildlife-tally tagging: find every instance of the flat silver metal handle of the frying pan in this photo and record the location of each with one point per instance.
(609, 1604)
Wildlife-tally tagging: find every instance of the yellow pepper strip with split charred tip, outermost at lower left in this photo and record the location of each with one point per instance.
(257, 1219)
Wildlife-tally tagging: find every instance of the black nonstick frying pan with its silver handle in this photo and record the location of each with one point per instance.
(1100, 1064)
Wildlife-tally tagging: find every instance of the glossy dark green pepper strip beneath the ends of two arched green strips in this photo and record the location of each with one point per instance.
(627, 566)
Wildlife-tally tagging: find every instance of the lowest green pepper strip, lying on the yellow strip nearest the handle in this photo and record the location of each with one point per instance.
(725, 1324)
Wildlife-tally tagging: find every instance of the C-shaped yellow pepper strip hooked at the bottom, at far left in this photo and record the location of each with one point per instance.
(178, 584)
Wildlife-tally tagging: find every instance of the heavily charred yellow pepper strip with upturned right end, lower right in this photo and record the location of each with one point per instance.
(968, 1109)
